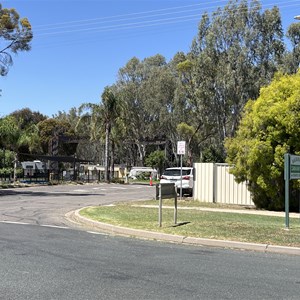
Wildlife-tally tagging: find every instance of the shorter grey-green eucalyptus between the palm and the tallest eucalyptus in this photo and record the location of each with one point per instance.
(147, 91)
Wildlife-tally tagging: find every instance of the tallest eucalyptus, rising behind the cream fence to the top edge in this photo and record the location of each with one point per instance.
(236, 51)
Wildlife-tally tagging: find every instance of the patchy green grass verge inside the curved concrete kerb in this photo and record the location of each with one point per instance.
(204, 224)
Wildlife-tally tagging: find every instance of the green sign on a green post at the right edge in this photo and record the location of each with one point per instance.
(291, 171)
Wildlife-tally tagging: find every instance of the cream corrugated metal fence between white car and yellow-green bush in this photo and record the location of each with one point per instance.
(213, 183)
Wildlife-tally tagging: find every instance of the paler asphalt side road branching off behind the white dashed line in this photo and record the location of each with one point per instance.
(47, 205)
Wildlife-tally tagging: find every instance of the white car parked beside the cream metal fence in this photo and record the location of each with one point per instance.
(172, 175)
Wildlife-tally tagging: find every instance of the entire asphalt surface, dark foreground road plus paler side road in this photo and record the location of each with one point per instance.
(42, 257)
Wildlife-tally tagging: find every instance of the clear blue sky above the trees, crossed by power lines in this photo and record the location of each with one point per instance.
(79, 46)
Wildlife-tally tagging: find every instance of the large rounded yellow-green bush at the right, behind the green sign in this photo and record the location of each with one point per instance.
(269, 128)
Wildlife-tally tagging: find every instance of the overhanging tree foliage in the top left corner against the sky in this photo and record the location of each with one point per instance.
(16, 35)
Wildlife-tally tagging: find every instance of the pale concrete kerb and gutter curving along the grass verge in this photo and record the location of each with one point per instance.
(75, 217)
